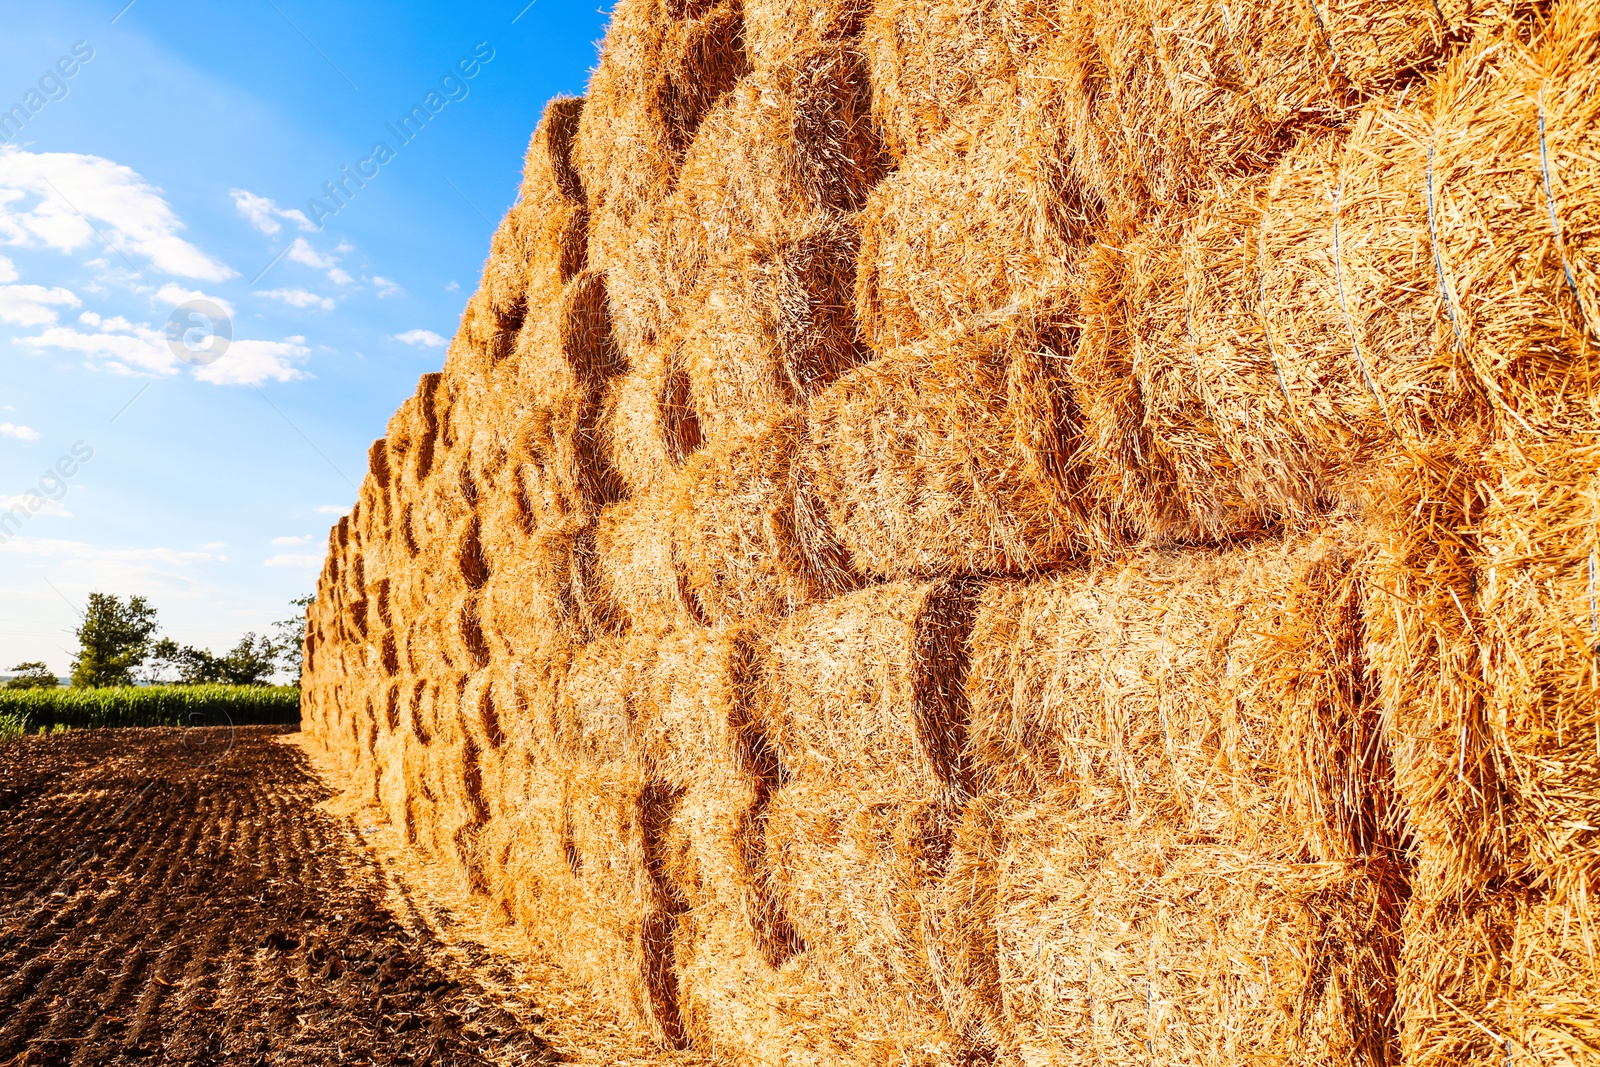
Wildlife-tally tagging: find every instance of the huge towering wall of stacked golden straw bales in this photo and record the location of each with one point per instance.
(1022, 532)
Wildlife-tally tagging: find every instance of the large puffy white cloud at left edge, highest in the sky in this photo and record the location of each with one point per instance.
(50, 201)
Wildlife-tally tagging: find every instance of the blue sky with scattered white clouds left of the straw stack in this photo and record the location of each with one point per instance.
(170, 154)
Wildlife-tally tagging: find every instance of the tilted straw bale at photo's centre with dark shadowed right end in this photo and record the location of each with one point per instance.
(958, 455)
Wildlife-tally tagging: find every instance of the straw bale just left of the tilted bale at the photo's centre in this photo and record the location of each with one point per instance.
(751, 529)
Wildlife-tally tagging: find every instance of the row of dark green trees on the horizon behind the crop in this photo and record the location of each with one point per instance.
(119, 645)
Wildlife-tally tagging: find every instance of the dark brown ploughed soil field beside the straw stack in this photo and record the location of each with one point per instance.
(178, 897)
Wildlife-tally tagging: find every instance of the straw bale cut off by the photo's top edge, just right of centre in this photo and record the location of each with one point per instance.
(932, 62)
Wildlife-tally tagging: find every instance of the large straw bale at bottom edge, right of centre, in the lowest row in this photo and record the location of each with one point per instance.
(1134, 945)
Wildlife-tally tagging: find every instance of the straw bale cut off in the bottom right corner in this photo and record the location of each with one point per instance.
(1503, 975)
